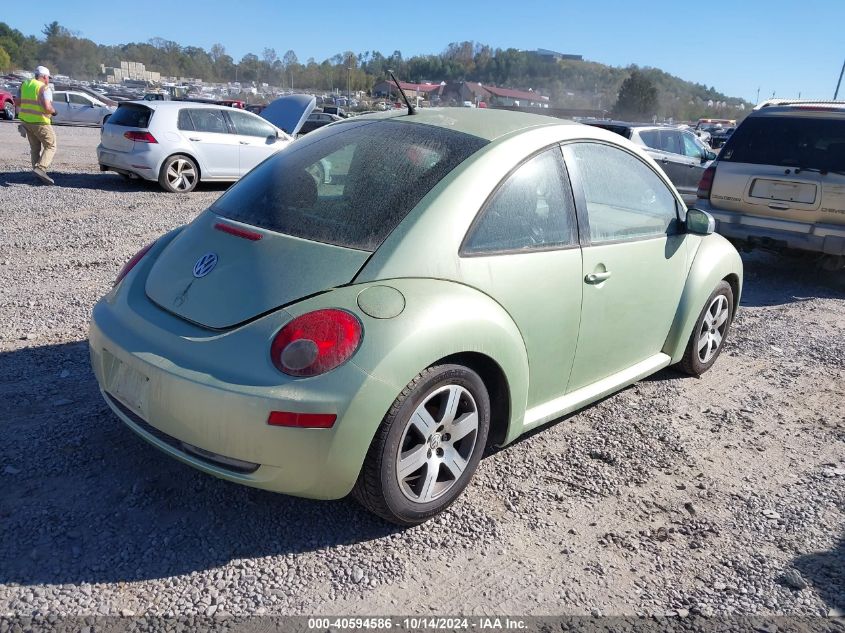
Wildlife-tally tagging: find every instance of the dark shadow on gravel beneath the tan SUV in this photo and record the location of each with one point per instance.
(772, 279)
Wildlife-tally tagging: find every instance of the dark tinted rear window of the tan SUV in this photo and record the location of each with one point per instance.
(805, 142)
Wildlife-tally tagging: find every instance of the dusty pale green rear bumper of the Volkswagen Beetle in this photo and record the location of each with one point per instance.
(205, 398)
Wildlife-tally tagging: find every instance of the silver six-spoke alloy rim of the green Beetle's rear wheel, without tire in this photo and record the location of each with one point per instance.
(437, 443)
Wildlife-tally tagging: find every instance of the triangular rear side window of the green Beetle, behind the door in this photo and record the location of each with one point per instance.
(533, 208)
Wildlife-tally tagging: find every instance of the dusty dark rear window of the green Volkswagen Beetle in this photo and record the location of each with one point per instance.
(349, 184)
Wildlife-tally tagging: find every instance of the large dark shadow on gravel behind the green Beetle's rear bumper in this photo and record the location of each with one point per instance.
(82, 499)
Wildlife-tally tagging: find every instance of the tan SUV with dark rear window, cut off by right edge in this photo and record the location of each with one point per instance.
(779, 181)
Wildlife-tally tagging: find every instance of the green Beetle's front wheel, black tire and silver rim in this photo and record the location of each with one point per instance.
(711, 329)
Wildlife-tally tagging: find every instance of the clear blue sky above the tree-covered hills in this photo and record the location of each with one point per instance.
(785, 48)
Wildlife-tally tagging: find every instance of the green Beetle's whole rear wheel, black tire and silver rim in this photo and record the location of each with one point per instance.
(427, 447)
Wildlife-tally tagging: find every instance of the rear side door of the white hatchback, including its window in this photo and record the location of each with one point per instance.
(207, 132)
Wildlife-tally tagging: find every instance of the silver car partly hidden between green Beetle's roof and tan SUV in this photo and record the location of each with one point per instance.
(680, 153)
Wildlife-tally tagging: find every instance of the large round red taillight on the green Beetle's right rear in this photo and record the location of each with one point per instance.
(316, 342)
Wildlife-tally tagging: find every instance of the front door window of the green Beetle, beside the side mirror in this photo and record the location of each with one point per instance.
(625, 199)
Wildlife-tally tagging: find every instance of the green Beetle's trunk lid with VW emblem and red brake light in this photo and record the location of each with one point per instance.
(218, 279)
